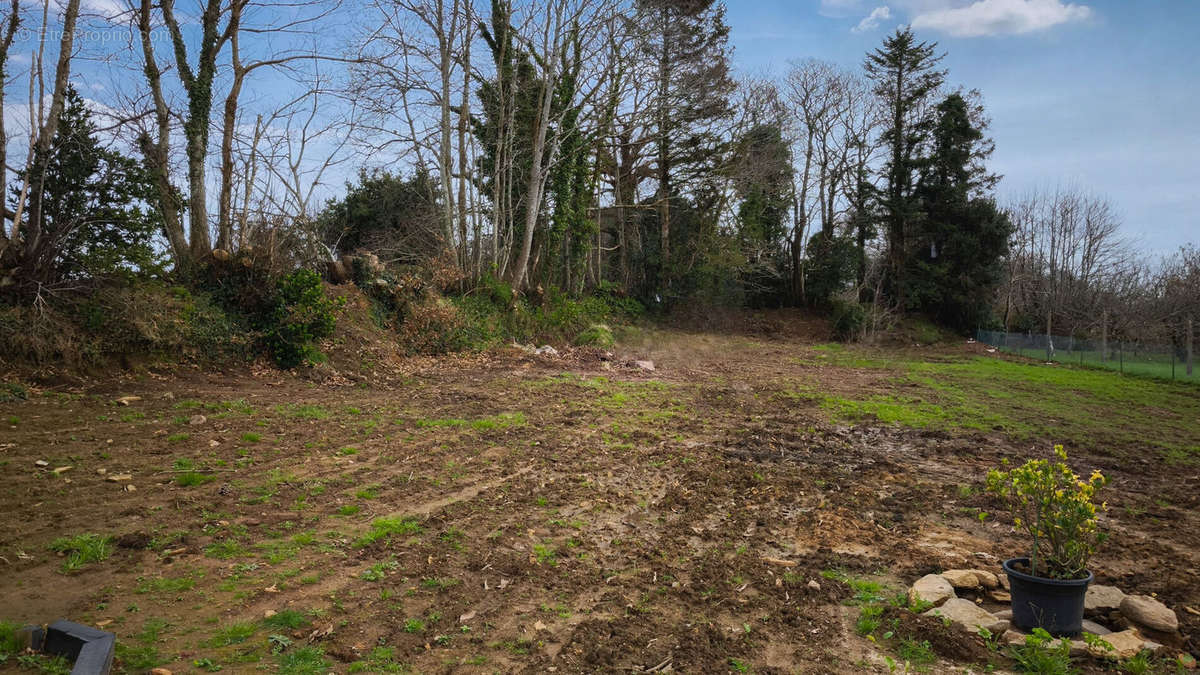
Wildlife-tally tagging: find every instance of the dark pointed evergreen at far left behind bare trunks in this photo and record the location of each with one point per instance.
(97, 207)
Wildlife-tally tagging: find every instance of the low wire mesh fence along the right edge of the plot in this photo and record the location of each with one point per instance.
(1167, 362)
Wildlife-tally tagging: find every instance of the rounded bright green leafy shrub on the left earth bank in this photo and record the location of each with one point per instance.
(303, 315)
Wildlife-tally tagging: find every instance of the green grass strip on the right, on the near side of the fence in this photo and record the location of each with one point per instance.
(1099, 410)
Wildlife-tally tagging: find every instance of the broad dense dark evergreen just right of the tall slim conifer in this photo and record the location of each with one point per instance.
(956, 265)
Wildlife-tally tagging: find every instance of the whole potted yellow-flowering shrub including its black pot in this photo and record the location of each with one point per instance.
(1055, 507)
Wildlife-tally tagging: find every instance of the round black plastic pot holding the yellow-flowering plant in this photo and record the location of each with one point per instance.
(1054, 605)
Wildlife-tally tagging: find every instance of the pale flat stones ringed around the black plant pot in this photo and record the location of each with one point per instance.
(989, 611)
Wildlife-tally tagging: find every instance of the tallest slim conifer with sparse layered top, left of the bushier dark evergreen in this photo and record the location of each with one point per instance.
(907, 77)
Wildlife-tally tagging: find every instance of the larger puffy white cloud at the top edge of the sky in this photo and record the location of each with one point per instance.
(997, 17)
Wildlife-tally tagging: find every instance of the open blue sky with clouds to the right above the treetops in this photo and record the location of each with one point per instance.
(1102, 95)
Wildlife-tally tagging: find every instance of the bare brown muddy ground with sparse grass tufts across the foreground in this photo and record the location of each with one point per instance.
(507, 512)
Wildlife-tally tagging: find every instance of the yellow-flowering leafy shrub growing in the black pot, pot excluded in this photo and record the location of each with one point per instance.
(1057, 509)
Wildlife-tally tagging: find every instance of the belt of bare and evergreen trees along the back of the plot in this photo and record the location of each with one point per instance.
(543, 152)
